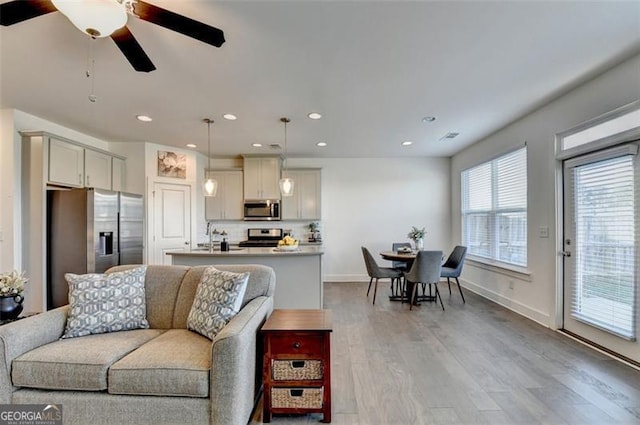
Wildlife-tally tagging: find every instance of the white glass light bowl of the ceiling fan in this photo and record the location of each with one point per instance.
(96, 18)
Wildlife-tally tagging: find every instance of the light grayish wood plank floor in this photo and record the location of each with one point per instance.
(475, 363)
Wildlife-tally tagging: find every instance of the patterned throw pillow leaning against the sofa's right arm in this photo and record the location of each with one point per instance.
(218, 298)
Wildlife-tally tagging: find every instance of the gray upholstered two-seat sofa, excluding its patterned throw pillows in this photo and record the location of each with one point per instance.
(162, 375)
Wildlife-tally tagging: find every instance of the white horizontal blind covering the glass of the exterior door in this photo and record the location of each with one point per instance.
(603, 283)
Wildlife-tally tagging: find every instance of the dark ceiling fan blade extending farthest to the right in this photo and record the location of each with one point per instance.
(178, 23)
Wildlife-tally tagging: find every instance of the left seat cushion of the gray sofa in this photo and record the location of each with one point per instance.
(76, 363)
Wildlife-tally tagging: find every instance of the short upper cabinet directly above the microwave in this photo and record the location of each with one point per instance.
(261, 177)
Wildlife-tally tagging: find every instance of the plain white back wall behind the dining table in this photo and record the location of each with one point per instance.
(373, 202)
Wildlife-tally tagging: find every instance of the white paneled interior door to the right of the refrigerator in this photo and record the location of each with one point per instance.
(172, 220)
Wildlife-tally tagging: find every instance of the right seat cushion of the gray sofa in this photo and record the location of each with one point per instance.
(176, 363)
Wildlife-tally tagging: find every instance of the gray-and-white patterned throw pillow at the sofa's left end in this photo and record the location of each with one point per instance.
(102, 303)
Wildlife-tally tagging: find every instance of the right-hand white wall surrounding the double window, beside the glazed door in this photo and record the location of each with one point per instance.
(536, 297)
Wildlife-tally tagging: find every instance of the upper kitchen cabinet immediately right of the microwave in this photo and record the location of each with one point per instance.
(305, 202)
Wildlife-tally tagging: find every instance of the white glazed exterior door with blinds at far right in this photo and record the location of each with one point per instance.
(601, 238)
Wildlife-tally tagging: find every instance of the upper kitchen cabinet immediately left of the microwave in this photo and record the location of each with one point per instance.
(228, 202)
